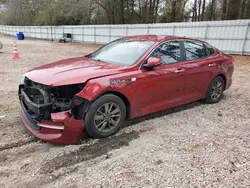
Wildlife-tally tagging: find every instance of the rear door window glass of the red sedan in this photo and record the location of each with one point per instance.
(194, 50)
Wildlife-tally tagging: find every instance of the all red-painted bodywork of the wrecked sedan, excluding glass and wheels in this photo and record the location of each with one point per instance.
(162, 87)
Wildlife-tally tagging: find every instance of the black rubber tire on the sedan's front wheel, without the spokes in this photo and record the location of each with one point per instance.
(90, 121)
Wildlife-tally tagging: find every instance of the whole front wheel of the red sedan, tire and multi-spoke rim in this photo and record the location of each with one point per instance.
(105, 116)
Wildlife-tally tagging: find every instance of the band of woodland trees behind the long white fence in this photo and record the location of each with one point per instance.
(75, 12)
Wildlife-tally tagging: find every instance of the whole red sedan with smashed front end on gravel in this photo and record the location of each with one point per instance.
(124, 79)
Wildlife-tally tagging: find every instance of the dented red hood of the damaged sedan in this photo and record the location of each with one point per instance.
(72, 71)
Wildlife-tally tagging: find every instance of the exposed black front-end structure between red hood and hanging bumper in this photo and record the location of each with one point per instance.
(39, 100)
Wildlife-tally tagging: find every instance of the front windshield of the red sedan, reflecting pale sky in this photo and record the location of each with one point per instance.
(124, 52)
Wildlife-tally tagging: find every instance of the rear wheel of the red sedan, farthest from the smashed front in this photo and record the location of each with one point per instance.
(211, 98)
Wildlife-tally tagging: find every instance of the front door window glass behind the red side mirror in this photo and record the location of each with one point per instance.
(169, 52)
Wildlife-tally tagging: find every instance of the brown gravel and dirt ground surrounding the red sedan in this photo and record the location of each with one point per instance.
(195, 145)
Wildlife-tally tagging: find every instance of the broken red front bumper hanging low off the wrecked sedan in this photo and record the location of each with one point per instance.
(62, 129)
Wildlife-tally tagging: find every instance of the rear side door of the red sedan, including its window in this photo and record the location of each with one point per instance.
(200, 67)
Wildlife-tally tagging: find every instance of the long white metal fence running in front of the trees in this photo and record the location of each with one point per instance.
(229, 36)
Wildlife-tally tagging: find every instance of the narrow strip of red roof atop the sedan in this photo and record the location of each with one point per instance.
(157, 38)
